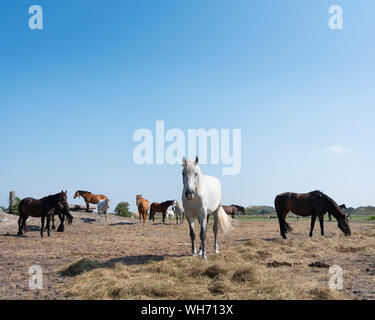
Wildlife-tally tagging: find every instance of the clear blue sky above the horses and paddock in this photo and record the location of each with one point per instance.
(72, 95)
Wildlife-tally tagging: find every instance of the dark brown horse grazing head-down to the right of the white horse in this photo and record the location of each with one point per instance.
(314, 204)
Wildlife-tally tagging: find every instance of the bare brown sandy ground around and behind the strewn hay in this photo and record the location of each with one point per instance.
(122, 240)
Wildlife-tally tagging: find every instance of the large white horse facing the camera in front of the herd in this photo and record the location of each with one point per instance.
(202, 196)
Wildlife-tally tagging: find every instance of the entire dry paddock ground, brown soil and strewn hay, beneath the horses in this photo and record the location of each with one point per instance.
(124, 261)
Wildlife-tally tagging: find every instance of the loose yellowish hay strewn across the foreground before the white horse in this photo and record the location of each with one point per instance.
(257, 269)
